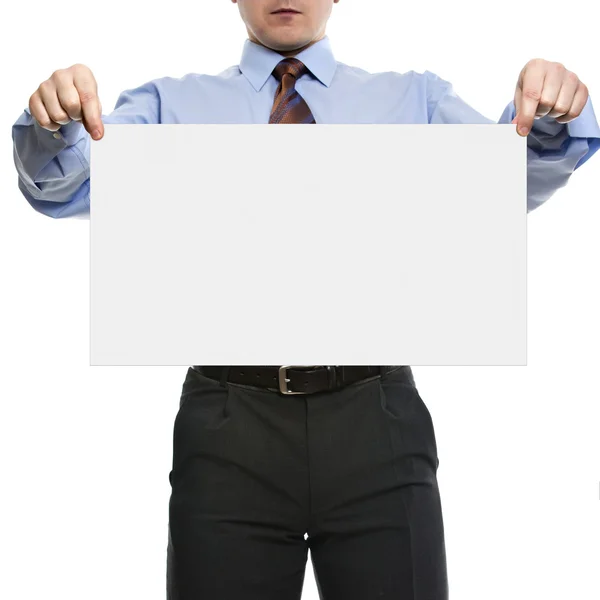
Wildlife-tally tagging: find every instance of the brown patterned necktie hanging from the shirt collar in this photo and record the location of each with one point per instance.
(289, 105)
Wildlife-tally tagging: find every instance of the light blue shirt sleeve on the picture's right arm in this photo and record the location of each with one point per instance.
(554, 150)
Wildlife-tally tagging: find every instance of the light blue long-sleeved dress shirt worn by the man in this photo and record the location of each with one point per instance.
(54, 170)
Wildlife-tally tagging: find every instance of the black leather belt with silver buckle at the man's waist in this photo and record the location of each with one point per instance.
(297, 379)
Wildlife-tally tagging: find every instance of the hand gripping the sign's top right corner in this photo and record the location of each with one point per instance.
(547, 88)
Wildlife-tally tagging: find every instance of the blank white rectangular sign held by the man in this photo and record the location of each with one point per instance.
(346, 244)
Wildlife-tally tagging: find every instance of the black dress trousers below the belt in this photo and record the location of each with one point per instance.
(260, 478)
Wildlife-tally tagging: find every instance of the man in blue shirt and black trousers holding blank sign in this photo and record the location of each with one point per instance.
(271, 461)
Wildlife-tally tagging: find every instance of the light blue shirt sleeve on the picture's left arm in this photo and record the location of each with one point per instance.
(54, 167)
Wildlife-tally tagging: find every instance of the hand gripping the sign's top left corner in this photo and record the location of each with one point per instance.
(68, 95)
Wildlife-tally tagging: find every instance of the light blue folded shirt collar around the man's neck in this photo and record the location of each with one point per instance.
(257, 62)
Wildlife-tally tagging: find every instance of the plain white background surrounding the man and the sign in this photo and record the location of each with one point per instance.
(85, 452)
